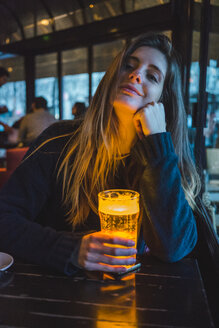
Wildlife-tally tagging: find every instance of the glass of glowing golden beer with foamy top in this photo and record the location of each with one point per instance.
(119, 211)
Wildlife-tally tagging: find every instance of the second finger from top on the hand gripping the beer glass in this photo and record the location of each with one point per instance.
(115, 251)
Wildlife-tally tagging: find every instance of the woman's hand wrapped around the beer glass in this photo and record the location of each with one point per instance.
(94, 253)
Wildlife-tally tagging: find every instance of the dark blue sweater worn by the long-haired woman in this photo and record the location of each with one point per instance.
(33, 223)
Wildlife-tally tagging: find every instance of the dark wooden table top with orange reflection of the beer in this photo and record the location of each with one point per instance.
(159, 295)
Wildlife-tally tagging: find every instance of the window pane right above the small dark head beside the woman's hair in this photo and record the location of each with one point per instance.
(75, 79)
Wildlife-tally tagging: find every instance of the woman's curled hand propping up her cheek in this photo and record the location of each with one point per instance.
(150, 119)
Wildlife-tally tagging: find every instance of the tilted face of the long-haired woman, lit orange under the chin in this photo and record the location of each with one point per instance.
(141, 80)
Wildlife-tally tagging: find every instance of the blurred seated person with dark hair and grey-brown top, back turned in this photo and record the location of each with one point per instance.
(35, 123)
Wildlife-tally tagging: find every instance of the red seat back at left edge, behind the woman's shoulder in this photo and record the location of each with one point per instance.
(13, 158)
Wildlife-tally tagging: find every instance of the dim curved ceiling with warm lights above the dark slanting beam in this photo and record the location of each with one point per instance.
(23, 19)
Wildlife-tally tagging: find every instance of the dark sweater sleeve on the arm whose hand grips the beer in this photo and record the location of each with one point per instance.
(21, 200)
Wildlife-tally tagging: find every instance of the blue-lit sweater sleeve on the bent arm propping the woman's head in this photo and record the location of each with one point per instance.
(169, 227)
